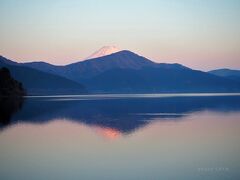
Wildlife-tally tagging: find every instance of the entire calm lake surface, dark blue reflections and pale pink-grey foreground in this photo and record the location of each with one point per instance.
(121, 137)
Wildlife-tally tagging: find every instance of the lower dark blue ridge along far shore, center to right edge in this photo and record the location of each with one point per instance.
(159, 80)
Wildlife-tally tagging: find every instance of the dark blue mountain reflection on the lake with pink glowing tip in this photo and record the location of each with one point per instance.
(114, 115)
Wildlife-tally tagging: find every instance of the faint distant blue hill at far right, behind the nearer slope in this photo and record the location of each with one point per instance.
(227, 73)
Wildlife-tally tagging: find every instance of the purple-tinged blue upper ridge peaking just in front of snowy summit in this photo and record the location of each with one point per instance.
(90, 68)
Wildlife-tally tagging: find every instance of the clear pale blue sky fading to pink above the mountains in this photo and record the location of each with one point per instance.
(202, 34)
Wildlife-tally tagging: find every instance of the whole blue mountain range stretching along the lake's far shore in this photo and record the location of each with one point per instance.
(120, 72)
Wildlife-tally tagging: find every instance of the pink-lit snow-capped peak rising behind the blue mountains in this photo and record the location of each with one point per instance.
(105, 50)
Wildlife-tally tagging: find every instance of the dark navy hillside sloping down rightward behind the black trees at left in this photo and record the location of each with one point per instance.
(40, 83)
